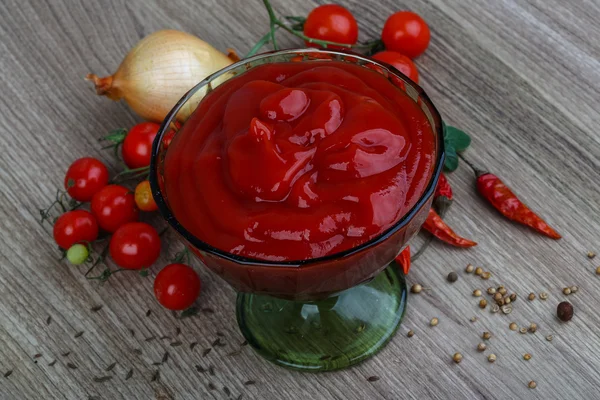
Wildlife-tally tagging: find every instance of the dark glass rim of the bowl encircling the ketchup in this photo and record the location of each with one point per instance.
(166, 213)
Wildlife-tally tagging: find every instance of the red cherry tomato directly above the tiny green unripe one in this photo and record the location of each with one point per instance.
(77, 226)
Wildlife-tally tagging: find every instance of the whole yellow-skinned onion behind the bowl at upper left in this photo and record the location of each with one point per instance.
(159, 70)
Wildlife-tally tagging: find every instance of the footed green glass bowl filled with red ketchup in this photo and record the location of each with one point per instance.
(343, 300)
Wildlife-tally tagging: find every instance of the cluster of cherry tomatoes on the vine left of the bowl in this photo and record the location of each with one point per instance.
(115, 209)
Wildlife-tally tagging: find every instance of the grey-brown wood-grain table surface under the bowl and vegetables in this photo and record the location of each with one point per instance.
(521, 76)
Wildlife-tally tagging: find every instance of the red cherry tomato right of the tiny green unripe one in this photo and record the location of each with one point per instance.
(134, 245)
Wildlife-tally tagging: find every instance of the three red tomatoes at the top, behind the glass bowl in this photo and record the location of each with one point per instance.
(405, 35)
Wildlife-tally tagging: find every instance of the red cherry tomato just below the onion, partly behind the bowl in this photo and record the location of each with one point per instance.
(137, 146)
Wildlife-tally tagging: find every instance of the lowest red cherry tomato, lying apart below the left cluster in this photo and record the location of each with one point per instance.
(177, 286)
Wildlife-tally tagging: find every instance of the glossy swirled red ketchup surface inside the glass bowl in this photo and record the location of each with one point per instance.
(293, 161)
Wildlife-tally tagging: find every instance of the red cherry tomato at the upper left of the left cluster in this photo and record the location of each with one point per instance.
(85, 177)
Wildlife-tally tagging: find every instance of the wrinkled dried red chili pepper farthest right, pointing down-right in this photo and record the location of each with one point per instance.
(509, 205)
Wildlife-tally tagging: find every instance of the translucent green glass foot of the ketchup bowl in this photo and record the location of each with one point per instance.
(328, 334)
